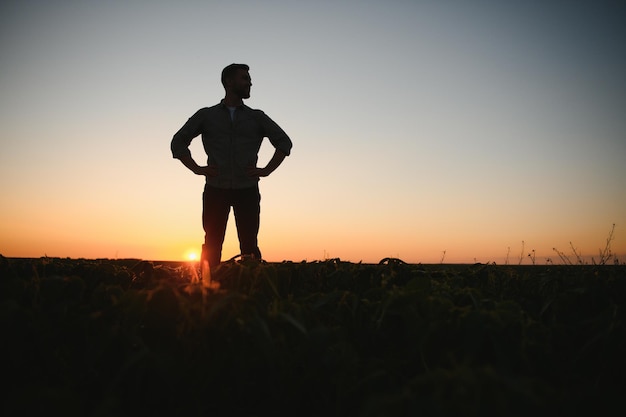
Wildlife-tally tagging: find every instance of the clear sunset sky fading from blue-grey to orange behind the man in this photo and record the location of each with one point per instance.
(429, 131)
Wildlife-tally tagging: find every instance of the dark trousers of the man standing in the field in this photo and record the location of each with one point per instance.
(216, 204)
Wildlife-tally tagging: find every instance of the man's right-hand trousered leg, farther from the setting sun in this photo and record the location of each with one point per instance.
(247, 209)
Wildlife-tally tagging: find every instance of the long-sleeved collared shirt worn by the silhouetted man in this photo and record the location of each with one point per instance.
(232, 146)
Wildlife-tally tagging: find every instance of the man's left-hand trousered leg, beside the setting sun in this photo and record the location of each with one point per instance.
(215, 210)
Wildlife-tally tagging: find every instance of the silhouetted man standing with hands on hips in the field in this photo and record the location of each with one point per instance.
(231, 135)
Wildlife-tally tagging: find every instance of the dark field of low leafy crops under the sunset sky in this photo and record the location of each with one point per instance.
(329, 338)
